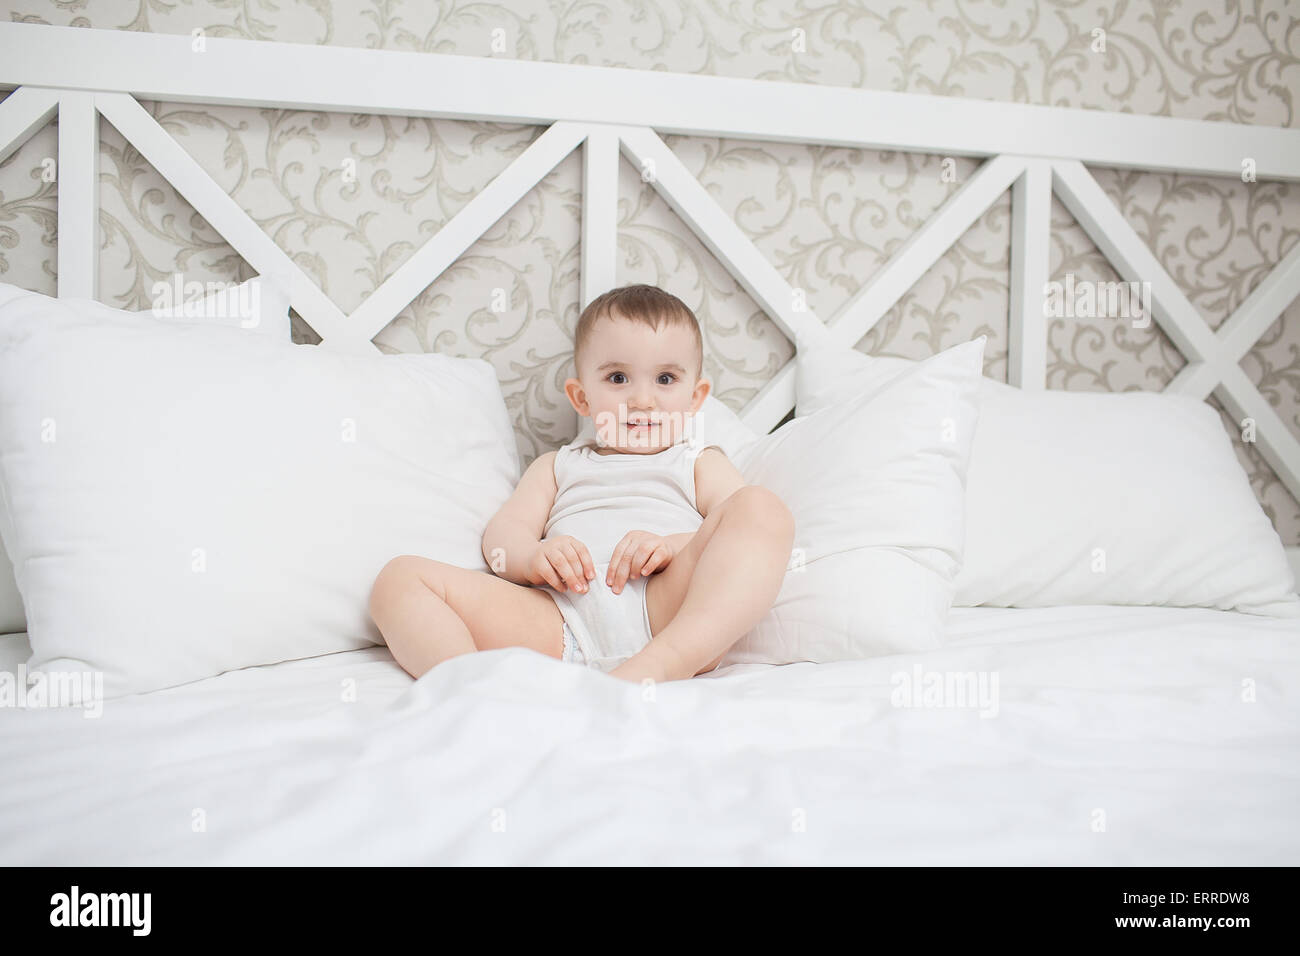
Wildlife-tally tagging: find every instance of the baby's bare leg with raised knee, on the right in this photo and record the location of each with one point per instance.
(726, 579)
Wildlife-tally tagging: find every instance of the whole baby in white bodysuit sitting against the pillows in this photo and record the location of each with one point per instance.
(638, 552)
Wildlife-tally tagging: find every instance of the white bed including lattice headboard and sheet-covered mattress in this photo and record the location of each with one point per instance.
(1090, 734)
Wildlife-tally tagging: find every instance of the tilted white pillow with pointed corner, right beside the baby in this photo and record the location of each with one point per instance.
(877, 490)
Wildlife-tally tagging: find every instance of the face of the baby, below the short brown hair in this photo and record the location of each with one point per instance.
(638, 386)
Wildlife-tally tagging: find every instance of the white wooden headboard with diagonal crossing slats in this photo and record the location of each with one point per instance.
(1034, 150)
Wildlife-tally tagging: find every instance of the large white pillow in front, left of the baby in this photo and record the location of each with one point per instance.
(213, 500)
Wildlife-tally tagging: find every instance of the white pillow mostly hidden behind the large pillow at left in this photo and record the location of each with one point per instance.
(259, 305)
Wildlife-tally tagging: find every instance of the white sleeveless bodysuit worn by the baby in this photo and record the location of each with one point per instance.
(599, 500)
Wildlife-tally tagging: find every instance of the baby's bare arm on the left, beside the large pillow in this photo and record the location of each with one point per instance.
(513, 539)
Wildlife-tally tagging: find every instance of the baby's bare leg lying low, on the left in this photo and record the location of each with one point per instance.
(430, 611)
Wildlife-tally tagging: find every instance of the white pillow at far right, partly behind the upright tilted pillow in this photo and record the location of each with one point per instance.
(1084, 499)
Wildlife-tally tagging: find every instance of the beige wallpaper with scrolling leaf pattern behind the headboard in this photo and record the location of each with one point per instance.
(352, 197)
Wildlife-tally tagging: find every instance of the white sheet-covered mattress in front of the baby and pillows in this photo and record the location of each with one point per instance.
(1125, 717)
